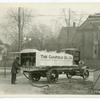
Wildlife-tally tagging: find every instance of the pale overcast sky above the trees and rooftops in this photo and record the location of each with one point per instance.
(52, 16)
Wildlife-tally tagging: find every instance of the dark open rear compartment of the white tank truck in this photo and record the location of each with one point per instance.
(28, 59)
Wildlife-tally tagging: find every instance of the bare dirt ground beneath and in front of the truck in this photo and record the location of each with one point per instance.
(64, 86)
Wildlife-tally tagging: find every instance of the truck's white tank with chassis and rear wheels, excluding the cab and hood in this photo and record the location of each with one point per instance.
(37, 64)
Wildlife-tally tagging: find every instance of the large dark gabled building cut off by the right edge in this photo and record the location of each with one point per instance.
(90, 32)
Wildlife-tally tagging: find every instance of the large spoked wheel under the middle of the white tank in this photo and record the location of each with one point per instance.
(52, 76)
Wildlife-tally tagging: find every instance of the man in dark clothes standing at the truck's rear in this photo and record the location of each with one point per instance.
(15, 68)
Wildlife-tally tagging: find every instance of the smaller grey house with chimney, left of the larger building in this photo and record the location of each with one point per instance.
(66, 37)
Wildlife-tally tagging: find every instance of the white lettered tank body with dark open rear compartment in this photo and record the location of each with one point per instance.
(35, 58)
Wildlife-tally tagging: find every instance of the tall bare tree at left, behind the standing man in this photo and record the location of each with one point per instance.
(18, 20)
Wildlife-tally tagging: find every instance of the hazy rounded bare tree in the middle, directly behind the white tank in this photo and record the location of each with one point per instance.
(39, 34)
